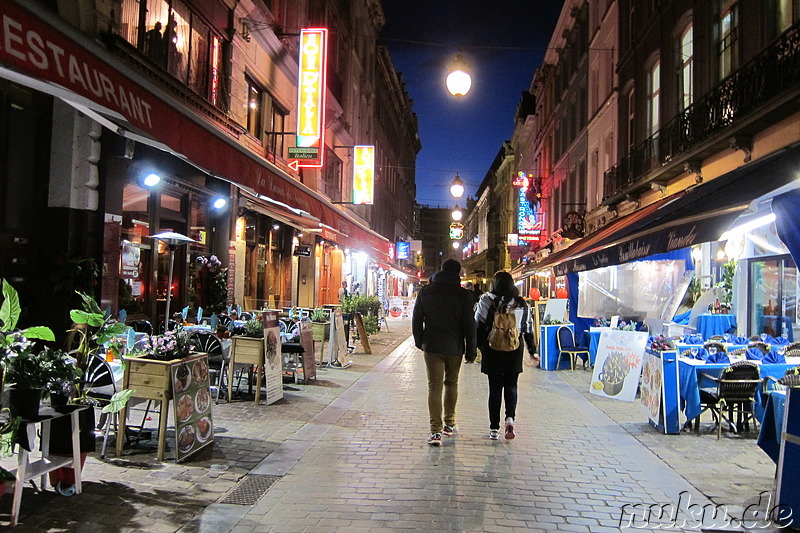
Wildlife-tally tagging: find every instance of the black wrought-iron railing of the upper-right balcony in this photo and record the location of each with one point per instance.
(772, 72)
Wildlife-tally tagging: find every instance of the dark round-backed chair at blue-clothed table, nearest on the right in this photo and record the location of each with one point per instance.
(733, 392)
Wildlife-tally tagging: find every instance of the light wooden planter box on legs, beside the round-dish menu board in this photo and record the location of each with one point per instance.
(151, 380)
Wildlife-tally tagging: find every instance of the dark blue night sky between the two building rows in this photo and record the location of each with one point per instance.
(503, 41)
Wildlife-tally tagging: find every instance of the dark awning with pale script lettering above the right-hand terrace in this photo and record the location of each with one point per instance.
(700, 215)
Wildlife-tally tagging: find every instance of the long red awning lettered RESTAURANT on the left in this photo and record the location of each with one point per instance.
(38, 44)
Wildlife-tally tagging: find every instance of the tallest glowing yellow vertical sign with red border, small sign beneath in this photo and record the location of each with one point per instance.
(311, 95)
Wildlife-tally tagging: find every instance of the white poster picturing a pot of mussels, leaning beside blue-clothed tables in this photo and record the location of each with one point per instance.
(618, 364)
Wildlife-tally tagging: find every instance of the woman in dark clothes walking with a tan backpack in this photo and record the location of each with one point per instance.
(503, 367)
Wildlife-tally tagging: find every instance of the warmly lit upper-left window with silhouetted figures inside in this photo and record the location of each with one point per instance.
(173, 37)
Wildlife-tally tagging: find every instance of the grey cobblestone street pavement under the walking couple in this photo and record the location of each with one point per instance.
(349, 453)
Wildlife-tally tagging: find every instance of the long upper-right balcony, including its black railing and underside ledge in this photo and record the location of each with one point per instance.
(760, 93)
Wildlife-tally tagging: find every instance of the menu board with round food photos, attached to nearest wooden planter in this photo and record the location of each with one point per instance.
(191, 399)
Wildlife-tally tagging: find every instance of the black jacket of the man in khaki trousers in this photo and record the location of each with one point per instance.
(444, 320)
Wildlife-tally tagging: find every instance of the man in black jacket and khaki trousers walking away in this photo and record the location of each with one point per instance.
(444, 329)
